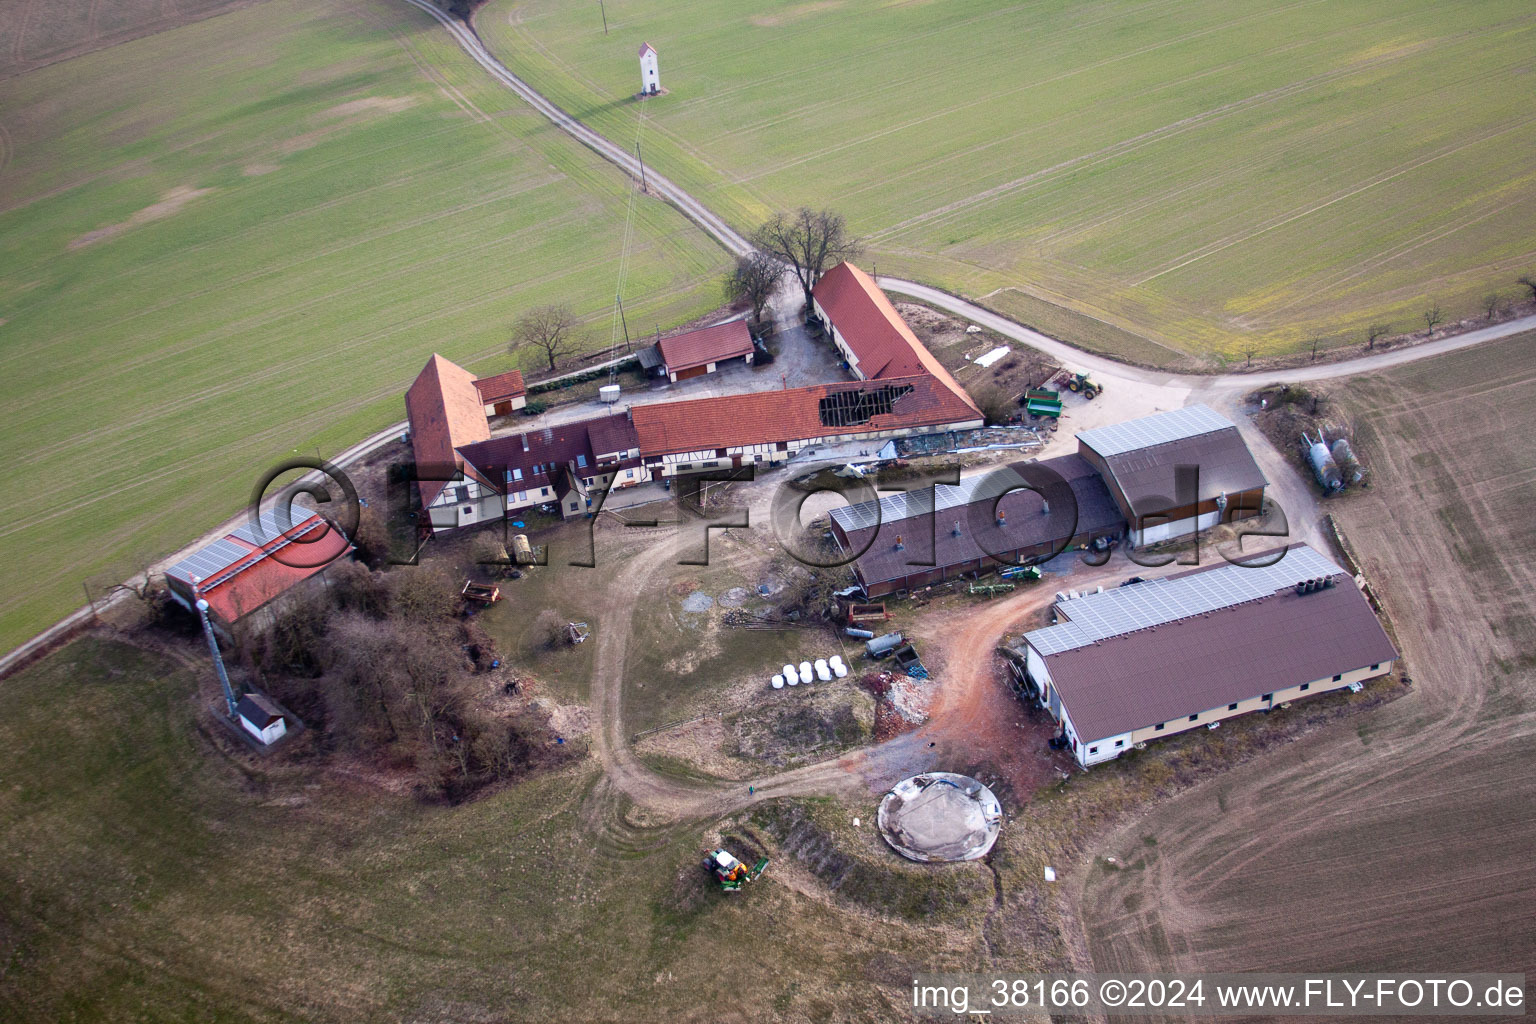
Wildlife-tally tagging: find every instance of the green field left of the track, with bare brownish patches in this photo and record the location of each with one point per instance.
(242, 239)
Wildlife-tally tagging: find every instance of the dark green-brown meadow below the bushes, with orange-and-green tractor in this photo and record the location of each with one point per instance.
(147, 877)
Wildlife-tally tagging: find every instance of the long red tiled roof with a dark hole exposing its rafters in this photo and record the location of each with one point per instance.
(790, 415)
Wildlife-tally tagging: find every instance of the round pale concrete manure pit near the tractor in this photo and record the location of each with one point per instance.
(941, 818)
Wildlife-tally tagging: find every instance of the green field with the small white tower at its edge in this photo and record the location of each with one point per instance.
(1210, 176)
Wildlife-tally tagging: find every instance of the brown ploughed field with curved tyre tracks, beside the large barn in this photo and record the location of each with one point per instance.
(1400, 841)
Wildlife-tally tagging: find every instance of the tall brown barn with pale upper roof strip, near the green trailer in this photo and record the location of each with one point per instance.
(1177, 472)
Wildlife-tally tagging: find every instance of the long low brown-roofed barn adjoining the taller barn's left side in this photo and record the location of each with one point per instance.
(919, 538)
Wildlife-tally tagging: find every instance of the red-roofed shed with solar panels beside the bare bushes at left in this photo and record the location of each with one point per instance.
(248, 570)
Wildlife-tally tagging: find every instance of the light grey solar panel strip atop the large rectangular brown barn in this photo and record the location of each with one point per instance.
(1094, 618)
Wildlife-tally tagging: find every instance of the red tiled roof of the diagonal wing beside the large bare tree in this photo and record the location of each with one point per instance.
(876, 334)
